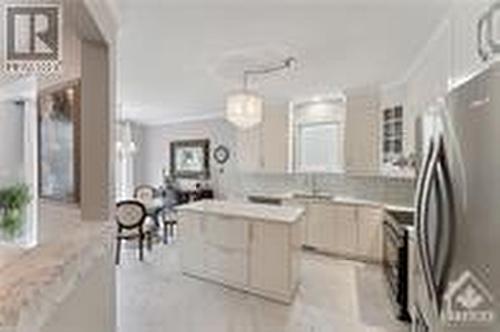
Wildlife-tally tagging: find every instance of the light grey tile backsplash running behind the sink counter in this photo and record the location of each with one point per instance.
(399, 191)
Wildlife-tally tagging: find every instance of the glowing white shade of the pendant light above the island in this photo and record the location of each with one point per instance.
(244, 109)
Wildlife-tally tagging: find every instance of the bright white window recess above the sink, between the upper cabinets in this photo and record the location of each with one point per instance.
(318, 135)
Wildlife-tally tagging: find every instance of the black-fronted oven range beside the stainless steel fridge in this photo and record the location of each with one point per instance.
(395, 251)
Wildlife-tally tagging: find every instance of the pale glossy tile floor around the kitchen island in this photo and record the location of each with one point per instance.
(335, 296)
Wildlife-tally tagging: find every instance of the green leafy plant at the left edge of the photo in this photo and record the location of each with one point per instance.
(13, 201)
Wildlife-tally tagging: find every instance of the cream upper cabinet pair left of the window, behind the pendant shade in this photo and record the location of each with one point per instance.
(264, 148)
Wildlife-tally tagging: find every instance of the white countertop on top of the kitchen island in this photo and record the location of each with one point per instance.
(285, 214)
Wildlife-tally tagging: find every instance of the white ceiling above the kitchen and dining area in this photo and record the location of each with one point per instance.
(178, 59)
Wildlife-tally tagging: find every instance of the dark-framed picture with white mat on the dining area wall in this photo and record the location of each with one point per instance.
(190, 159)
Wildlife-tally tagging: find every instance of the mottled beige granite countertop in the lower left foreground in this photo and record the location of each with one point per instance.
(33, 281)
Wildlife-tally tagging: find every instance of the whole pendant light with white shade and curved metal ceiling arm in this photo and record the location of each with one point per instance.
(244, 108)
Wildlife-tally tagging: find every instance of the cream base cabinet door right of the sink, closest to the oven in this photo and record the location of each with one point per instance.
(369, 233)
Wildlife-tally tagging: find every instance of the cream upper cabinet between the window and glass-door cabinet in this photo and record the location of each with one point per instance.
(362, 127)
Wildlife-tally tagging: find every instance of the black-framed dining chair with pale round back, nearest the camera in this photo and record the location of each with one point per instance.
(131, 223)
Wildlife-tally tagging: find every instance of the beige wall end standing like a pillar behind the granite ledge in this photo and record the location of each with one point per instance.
(95, 127)
